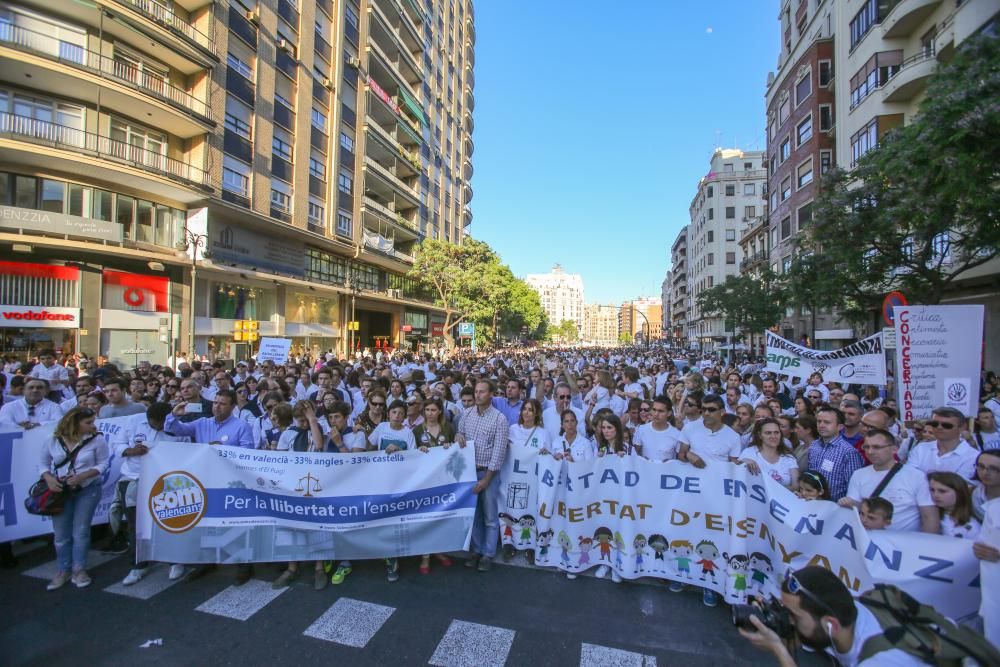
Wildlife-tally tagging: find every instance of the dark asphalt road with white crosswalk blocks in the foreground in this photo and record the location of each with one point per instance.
(512, 615)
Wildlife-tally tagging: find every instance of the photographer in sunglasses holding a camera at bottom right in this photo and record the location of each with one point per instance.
(826, 618)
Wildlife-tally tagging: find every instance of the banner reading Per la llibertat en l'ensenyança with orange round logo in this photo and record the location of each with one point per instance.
(215, 504)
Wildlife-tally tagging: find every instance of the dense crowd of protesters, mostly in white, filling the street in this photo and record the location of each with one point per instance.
(824, 441)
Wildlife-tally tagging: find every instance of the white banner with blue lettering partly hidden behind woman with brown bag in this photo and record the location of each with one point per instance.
(20, 456)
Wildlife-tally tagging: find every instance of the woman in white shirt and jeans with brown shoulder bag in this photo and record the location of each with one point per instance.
(74, 460)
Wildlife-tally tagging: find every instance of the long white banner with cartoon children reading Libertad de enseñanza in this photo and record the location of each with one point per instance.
(717, 527)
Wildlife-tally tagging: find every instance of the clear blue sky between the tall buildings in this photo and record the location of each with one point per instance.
(595, 120)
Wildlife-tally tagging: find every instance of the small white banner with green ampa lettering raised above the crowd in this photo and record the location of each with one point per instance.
(861, 362)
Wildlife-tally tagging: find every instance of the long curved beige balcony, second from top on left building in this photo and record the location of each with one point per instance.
(67, 70)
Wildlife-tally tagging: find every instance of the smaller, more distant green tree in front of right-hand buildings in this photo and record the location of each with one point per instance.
(749, 304)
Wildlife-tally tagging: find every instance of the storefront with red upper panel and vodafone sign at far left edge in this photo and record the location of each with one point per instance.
(39, 308)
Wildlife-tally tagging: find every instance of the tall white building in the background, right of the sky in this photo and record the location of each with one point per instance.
(728, 198)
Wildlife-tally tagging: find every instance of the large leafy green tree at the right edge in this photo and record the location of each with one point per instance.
(919, 212)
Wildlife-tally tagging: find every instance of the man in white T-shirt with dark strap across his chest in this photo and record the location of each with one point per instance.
(907, 490)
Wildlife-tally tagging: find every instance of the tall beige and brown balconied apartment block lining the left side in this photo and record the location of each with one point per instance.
(137, 134)
